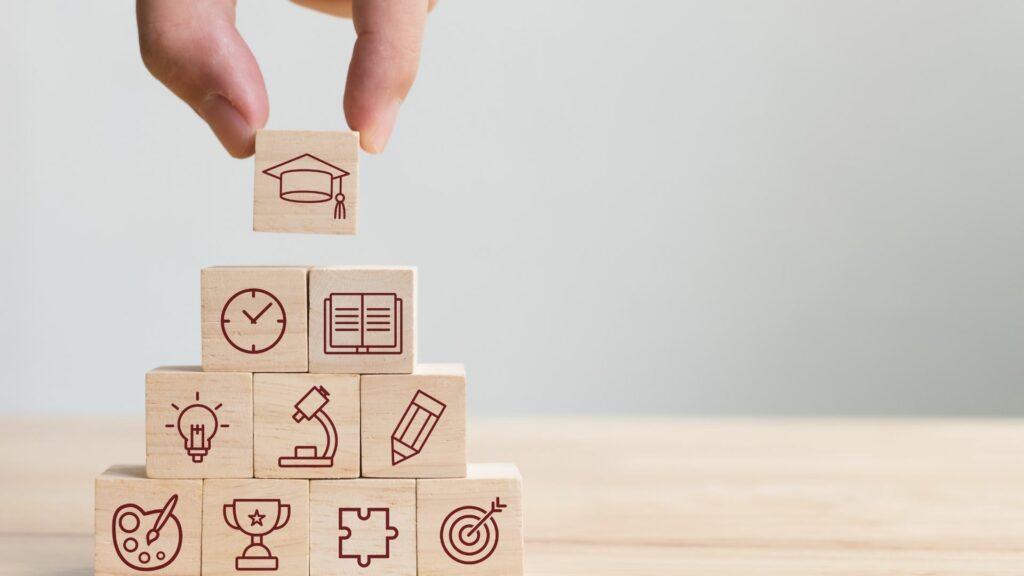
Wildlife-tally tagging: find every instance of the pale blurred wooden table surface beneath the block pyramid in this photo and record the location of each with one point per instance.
(644, 497)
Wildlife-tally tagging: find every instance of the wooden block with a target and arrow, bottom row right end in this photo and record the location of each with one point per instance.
(472, 526)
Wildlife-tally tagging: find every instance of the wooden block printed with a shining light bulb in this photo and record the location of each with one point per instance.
(199, 425)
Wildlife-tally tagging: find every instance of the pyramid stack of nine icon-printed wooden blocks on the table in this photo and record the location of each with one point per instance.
(310, 442)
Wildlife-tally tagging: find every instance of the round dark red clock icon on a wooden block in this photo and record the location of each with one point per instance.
(253, 321)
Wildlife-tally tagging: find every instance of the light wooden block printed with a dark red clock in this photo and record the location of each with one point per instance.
(254, 319)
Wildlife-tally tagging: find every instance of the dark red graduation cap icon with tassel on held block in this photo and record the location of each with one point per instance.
(309, 180)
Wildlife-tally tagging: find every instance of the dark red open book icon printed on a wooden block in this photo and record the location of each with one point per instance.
(363, 323)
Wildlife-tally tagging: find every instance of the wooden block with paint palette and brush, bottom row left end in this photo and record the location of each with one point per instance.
(134, 536)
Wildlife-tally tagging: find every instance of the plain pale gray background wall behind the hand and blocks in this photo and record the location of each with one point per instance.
(646, 208)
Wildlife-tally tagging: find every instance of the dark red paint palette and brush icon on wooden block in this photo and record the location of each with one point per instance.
(163, 536)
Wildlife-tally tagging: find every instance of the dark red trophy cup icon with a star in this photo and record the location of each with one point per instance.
(258, 518)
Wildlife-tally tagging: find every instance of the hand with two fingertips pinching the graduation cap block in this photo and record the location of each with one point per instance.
(194, 49)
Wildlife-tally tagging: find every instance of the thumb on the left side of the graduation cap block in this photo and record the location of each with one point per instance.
(193, 48)
